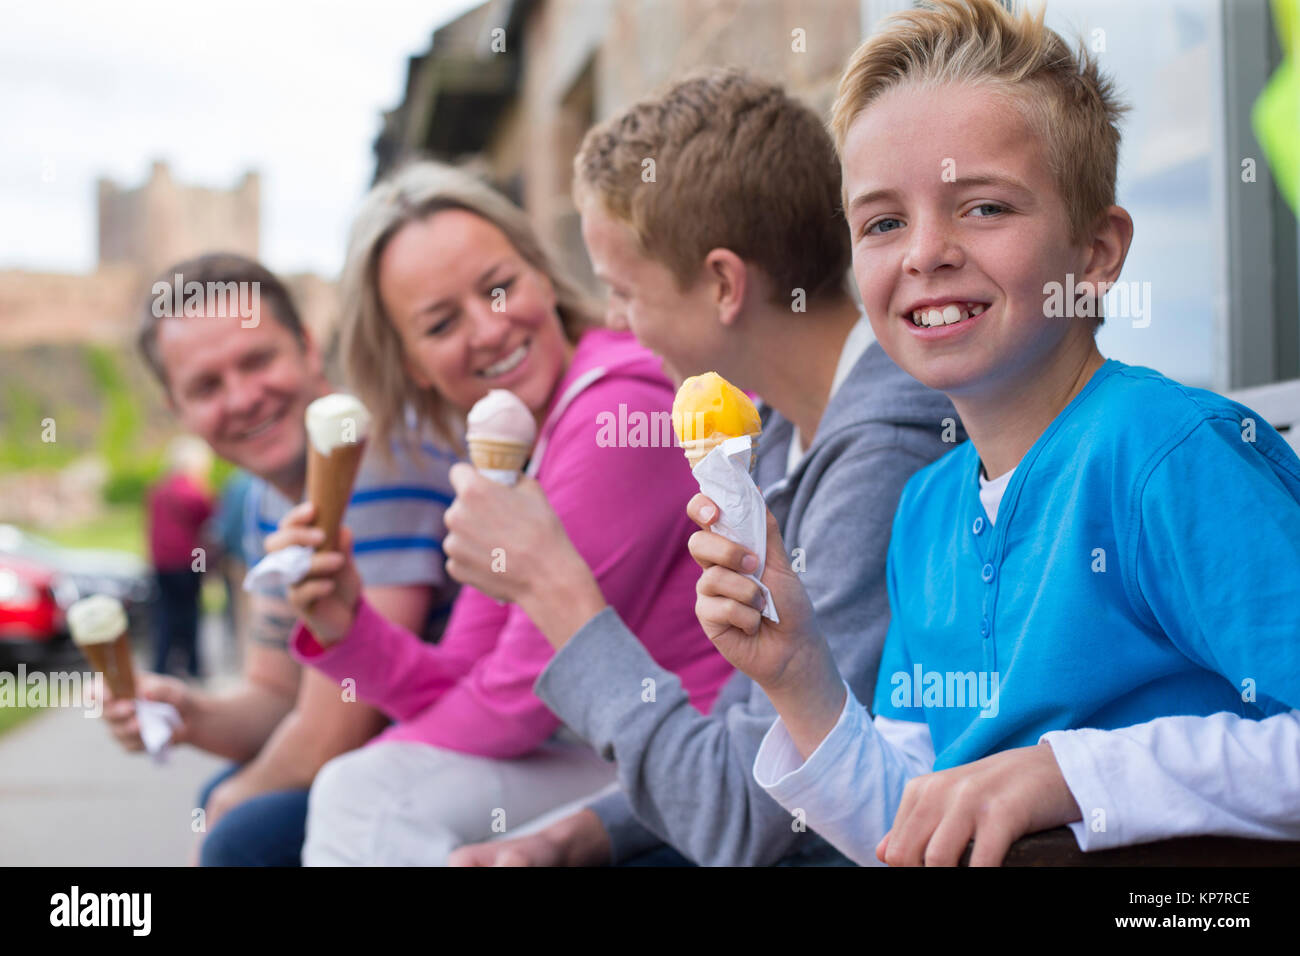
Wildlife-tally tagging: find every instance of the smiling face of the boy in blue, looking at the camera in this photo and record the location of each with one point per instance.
(955, 215)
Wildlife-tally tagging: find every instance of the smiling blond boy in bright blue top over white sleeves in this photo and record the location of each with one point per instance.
(1097, 600)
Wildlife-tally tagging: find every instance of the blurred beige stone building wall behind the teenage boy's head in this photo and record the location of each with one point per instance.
(586, 60)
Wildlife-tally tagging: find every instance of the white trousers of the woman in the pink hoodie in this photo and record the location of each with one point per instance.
(409, 804)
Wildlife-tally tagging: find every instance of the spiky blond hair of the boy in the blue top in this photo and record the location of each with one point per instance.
(1064, 97)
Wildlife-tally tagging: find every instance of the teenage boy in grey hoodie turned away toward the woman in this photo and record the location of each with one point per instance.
(742, 269)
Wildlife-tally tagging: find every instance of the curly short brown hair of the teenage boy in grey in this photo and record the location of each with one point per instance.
(738, 165)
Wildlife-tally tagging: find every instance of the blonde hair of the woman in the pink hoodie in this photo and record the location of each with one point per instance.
(372, 351)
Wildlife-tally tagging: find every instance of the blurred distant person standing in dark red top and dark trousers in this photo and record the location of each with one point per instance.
(179, 507)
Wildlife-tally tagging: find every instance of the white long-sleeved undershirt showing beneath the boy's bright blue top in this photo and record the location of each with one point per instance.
(1171, 777)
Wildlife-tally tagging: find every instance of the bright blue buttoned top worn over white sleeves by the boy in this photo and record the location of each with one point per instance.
(1113, 587)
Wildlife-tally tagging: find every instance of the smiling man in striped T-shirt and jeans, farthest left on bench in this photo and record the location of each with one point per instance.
(244, 384)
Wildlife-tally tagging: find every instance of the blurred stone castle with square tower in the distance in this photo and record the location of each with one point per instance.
(141, 232)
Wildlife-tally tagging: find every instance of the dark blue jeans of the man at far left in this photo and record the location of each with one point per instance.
(267, 830)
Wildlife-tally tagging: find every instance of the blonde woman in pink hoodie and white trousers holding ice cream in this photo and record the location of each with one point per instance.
(448, 297)
